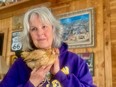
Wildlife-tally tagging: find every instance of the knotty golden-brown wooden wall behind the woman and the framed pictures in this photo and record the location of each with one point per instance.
(102, 49)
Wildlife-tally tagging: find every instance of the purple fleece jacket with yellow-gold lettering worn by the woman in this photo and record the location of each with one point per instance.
(74, 72)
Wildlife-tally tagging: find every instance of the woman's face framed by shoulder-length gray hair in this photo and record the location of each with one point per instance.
(41, 34)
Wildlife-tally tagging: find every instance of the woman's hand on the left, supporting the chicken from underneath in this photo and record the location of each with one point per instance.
(38, 75)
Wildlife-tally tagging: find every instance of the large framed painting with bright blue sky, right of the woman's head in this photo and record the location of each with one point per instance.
(78, 28)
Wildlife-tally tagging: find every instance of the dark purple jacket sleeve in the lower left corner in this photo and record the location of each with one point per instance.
(11, 79)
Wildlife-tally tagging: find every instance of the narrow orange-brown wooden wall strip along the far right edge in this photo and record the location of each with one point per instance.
(112, 10)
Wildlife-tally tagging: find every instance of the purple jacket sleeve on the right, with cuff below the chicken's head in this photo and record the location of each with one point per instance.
(83, 79)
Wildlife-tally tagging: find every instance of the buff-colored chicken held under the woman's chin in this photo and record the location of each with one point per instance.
(40, 57)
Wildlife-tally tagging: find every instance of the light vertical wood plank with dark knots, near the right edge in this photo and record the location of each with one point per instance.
(107, 44)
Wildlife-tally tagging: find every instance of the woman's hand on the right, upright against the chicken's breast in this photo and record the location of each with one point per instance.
(55, 67)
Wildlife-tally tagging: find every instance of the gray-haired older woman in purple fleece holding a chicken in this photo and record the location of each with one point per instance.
(45, 60)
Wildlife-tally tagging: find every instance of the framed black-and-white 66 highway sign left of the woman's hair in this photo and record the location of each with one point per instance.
(16, 43)
